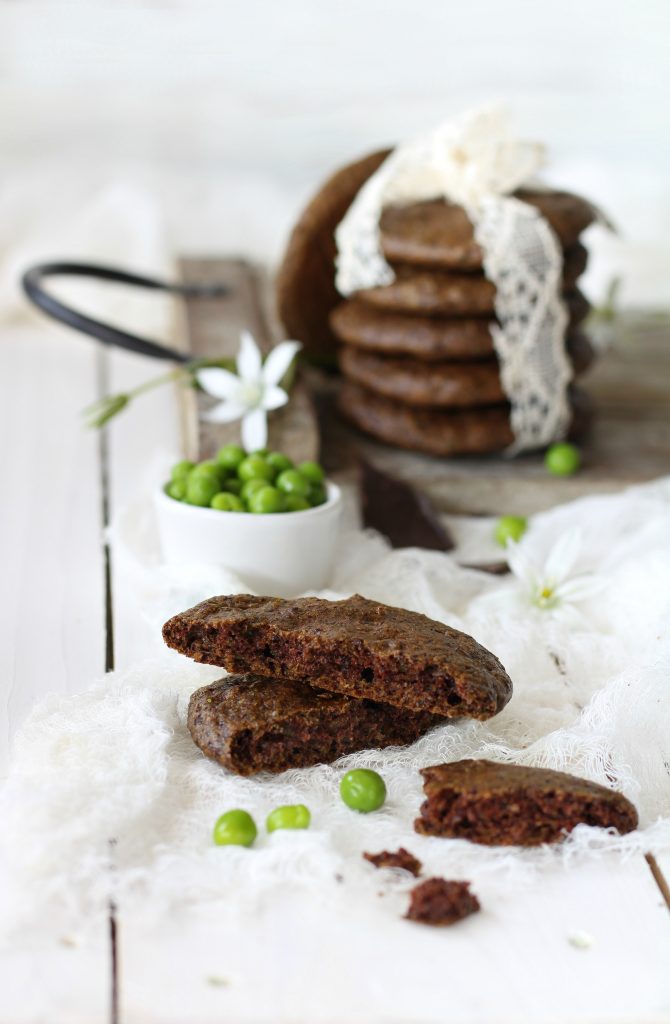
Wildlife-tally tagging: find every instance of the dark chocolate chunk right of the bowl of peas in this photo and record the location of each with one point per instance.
(401, 514)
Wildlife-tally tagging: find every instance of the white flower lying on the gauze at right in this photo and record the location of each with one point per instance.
(554, 583)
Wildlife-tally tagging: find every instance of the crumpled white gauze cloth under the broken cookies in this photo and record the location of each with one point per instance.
(108, 794)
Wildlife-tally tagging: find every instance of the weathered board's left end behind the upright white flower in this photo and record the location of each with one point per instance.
(214, 328)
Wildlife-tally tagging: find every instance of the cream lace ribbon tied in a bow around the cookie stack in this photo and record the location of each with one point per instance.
(477, 162)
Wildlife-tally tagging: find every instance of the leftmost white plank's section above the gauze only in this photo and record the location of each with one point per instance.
(52, 602)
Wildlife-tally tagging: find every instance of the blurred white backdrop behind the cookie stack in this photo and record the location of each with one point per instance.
(229, 113)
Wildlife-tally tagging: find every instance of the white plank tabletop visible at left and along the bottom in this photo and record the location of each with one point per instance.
(291, 962)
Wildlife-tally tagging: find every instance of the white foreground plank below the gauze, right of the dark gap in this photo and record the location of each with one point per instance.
(297, 962)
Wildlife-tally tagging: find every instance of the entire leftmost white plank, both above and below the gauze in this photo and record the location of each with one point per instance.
(53, 614)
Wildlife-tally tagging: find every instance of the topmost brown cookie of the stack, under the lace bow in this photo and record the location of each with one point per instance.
(439, 235)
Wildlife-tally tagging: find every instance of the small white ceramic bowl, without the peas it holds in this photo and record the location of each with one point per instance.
(278, 556)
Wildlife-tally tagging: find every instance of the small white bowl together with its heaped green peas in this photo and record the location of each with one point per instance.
(273, 524)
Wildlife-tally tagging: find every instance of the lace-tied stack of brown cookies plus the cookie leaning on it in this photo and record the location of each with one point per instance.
(417, 356)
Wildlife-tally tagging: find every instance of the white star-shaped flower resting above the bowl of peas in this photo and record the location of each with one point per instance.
(253, 393)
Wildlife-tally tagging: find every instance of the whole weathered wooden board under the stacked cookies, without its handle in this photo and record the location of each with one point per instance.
(630, 443)
